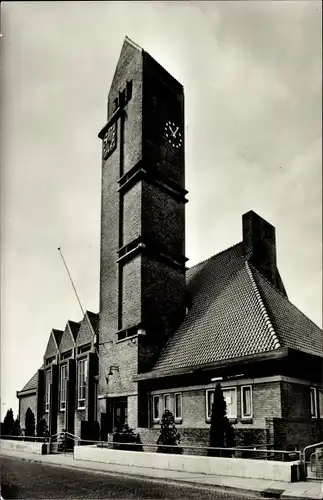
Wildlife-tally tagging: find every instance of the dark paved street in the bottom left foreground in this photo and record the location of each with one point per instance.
(22, 479)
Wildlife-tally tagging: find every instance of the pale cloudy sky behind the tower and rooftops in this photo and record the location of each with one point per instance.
(252, 78)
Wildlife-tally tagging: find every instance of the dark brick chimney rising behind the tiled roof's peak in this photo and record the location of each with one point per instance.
(259, 244)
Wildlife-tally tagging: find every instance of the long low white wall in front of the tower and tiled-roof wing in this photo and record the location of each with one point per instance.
(234, 467)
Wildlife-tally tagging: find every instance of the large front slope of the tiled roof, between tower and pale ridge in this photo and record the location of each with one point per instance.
(225, 320)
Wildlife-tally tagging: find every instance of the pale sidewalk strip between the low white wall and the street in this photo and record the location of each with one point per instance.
(253, 487)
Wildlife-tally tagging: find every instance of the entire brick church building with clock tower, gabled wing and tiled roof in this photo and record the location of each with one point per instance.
(165, 333)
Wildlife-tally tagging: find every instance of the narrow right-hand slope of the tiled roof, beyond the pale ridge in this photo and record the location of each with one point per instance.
(292, 327)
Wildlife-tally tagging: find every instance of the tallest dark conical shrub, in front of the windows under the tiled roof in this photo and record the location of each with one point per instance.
(221, 432)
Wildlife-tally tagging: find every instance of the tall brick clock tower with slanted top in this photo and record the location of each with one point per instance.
(142, 277)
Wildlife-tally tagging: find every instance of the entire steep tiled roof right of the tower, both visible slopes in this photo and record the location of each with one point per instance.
(235, 312)
